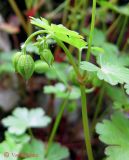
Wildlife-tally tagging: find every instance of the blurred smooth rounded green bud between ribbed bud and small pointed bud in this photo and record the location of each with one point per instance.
(41, 66)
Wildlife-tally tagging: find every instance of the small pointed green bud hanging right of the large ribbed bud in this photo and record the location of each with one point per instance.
(47, 56)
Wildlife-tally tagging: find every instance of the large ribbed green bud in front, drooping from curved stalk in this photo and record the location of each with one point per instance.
(25, 66)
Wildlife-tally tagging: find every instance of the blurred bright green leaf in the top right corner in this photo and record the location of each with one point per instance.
(119, 9)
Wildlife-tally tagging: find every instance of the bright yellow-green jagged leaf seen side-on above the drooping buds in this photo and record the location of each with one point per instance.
(60, 32)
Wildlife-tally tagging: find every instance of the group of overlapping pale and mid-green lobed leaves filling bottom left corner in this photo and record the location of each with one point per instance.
(20, 144)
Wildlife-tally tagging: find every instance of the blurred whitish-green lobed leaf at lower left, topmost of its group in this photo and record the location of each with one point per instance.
(22, 119)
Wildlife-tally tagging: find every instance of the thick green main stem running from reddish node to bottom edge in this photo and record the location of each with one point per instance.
(85, 123)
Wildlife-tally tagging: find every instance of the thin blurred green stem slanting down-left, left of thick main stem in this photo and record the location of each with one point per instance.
(56, 124)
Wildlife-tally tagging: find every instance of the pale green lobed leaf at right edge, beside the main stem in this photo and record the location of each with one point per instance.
(108, 71)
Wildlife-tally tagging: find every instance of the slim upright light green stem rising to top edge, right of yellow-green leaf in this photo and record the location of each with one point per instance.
(91, 30)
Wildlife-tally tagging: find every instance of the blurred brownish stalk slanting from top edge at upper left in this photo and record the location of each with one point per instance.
(18, 13)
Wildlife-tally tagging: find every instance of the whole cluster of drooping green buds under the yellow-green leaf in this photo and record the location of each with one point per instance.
(25, 65)
